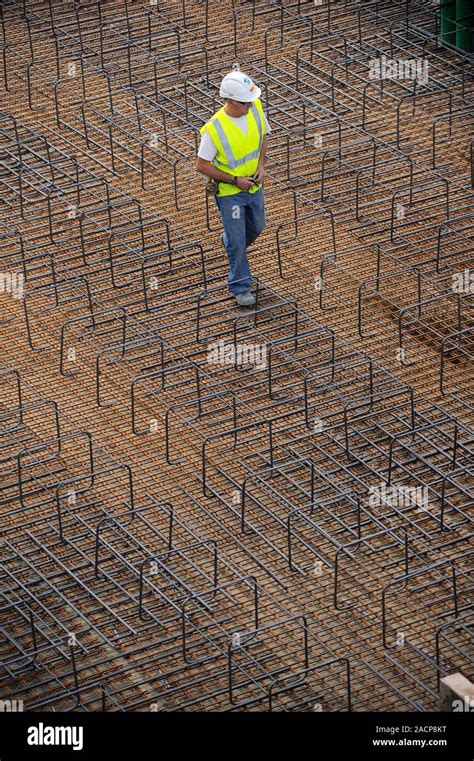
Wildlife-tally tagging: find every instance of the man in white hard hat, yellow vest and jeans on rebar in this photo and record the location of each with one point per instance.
(232, 154)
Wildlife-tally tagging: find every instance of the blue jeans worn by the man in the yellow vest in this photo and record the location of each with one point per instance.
(243, 217)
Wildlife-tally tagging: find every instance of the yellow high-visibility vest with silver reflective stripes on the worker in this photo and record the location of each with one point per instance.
(237, 154)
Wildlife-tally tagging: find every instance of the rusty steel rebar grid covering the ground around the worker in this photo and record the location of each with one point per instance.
(308, 451)
